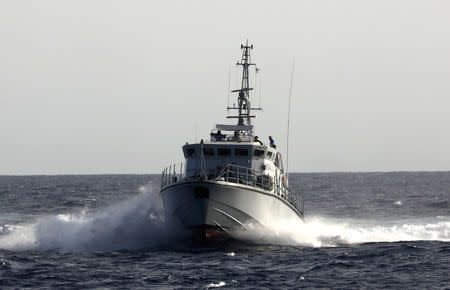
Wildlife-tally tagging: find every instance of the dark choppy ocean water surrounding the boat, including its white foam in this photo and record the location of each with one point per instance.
(362, 230)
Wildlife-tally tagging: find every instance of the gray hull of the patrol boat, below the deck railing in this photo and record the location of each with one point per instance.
(223, 205)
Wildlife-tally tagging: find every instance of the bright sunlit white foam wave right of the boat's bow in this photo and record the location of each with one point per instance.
(326, 232)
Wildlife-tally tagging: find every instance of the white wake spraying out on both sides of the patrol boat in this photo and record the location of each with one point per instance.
(138, 224)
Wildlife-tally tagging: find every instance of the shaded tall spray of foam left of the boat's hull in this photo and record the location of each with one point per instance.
(135, 223)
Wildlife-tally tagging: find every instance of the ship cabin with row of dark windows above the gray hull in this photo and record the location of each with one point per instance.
(232, 154)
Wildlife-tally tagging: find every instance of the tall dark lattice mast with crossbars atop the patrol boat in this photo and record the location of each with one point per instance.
(244, 109)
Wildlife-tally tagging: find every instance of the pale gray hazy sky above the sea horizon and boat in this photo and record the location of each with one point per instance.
(119, 86)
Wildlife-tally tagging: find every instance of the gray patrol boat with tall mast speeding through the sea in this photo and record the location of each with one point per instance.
(232, 181)
